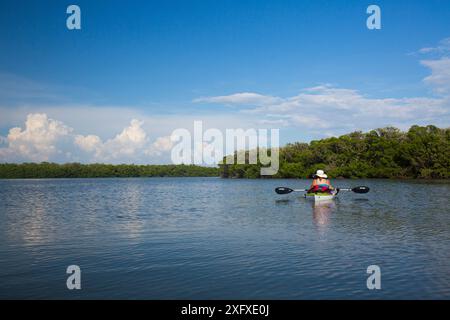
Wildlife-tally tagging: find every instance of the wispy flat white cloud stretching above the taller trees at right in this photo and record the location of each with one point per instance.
(340, 110)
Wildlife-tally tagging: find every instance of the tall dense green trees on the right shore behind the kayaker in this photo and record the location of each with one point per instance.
(421, 152)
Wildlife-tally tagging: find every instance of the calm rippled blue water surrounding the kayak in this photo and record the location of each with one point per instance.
(208, 238)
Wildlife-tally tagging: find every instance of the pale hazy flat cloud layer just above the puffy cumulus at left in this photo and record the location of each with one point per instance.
(85, 119)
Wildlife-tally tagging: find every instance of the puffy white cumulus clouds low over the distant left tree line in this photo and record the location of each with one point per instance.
(46, 139)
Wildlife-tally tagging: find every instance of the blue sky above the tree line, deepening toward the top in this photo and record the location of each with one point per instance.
(165, 63)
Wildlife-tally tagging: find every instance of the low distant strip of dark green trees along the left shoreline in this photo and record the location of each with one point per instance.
(77, 170)
